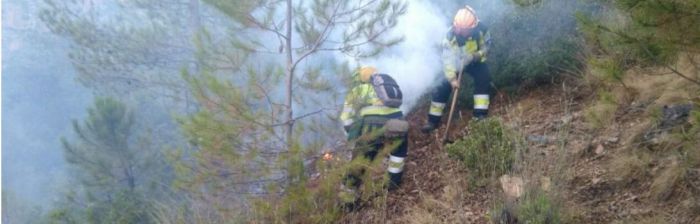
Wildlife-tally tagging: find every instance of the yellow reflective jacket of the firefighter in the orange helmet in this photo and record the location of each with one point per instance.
(455, 47)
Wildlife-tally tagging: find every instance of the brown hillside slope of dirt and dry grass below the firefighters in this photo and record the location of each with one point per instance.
(576, 162)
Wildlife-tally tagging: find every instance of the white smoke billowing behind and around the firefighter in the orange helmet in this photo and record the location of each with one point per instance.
(517, 32)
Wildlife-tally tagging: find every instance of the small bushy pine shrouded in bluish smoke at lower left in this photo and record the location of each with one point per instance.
(113, 167)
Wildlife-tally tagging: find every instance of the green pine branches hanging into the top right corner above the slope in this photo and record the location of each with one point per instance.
(646, 33)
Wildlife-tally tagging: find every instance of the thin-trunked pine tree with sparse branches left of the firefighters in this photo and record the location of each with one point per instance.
(250, 143)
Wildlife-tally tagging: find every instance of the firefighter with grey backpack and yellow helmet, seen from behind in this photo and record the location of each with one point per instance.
(373, 106)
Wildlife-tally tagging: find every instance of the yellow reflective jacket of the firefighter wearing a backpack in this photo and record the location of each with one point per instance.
(364, 100)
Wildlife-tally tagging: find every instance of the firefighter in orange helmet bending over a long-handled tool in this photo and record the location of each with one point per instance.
(466, 45)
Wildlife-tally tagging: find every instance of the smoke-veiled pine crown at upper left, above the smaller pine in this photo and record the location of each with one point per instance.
(129, 47)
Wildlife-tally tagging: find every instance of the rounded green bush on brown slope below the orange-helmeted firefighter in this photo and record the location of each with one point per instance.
(488, 151)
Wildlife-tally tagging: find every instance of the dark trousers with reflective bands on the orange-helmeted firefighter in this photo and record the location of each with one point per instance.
(482, 86)
